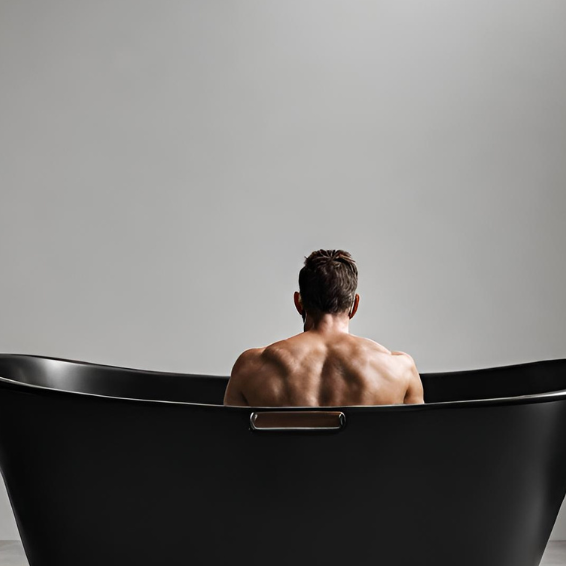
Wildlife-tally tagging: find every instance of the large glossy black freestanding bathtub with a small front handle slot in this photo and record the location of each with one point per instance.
(107, 466)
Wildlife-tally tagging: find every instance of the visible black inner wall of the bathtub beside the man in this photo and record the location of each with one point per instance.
(486, 383)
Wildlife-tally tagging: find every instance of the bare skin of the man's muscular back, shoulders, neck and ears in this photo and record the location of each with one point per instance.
(324, 365)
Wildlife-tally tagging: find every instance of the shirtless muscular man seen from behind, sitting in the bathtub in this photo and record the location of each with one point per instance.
(325, 365)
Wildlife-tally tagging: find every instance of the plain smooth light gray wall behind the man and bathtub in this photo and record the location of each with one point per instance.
(166, 166)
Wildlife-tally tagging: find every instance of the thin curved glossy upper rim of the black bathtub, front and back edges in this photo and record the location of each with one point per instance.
(549, 396)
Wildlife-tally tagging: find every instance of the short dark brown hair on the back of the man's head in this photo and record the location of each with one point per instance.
(328, 282)
